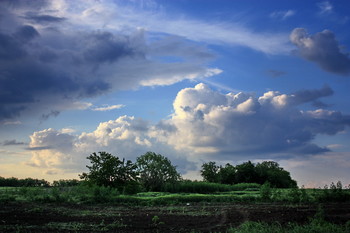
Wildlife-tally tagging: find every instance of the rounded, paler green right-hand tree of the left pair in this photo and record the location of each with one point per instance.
(155, 170)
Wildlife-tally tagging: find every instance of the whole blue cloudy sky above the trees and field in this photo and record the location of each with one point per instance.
(193, 80)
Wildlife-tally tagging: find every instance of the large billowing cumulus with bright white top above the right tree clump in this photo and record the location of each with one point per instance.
(208, 122)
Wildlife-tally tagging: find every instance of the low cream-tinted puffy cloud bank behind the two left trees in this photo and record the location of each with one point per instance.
(126, 137)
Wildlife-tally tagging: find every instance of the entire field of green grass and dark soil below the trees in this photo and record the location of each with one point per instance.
(246, 208)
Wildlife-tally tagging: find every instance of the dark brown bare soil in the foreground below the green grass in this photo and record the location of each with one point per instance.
(32, 217)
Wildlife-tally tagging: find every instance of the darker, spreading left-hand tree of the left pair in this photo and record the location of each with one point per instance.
(108, 170)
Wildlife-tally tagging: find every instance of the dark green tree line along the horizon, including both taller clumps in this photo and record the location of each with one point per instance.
(155, 172)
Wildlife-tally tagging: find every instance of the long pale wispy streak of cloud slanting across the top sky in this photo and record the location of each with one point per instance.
(111, 14)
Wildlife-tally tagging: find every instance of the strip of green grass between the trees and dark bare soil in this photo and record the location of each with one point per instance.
(232, 193)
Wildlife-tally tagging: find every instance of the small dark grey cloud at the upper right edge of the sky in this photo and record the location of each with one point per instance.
(323, 49)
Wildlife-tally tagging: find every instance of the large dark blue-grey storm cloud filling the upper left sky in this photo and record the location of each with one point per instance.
(47, 66)
